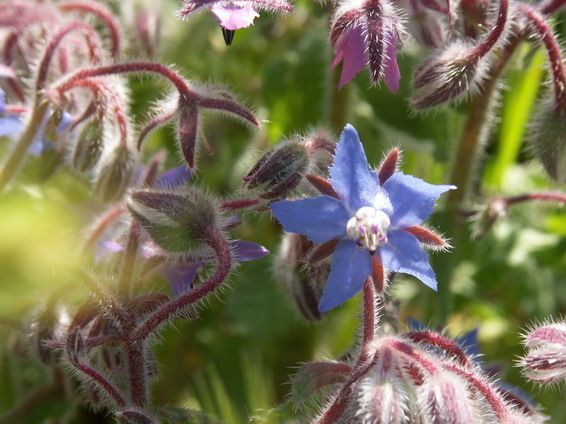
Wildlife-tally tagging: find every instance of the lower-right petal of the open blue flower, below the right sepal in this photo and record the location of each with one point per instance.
(403, 253)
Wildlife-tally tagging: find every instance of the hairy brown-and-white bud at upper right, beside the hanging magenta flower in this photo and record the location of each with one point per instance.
(446, 77)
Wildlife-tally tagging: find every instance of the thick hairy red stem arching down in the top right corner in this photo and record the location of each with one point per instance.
(554, 53)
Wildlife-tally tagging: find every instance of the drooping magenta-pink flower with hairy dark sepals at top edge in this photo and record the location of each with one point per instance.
(367, 34)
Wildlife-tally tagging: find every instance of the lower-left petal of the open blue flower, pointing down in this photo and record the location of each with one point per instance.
(349, 270)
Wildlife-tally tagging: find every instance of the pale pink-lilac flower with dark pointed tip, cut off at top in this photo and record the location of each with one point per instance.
(233, 15)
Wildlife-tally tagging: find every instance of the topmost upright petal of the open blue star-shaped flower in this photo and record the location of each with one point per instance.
(350, 174)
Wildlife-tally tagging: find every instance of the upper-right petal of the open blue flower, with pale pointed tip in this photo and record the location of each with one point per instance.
(412, 198)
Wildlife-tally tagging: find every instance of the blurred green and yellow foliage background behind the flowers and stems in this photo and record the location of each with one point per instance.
(235, 360)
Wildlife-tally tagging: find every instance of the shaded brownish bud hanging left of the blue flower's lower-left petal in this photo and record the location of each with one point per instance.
(302, 283)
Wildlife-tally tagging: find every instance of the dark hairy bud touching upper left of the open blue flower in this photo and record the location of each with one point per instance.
(279, 171)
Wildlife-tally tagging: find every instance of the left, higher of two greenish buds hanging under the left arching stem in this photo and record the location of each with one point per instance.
(89, 146)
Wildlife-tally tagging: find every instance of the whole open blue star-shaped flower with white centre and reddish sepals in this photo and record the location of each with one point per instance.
(373, 220)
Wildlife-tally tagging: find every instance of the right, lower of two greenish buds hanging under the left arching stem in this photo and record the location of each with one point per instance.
(114, 175)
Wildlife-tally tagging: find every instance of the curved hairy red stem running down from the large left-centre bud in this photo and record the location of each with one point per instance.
(221, 248)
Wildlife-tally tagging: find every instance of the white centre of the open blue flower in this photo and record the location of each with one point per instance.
(368, 227)
